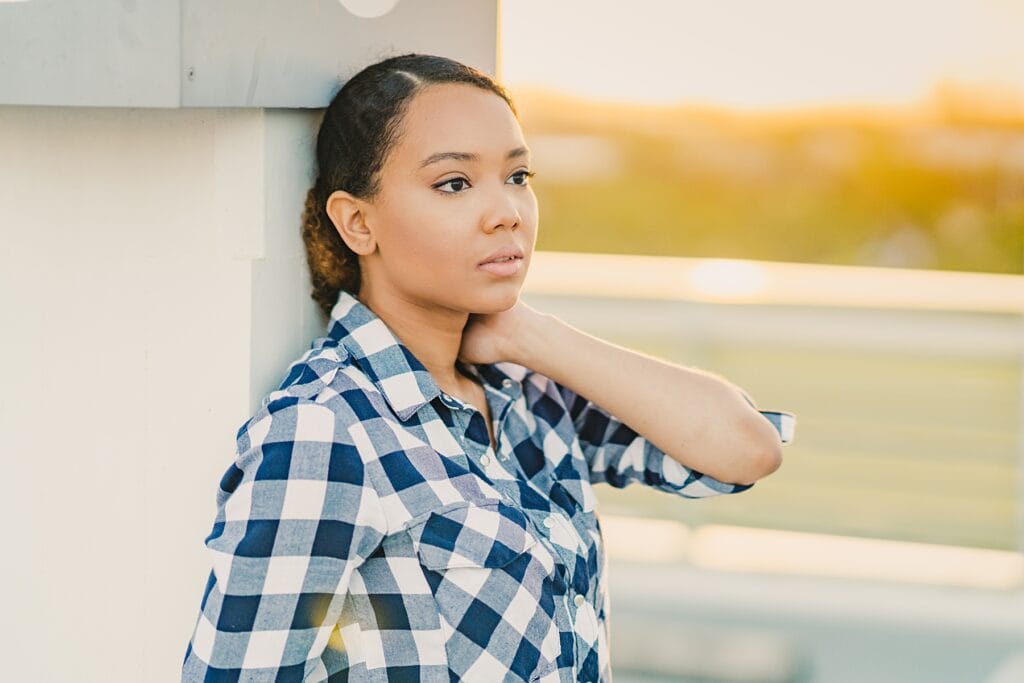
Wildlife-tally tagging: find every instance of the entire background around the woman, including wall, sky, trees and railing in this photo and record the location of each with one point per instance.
(822, 202)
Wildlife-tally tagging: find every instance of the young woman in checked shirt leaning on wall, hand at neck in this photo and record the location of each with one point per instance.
(414, 502)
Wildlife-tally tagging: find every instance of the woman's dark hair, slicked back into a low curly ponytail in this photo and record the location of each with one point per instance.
(359, 129)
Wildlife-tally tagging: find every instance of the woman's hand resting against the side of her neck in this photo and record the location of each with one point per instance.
(497, 337)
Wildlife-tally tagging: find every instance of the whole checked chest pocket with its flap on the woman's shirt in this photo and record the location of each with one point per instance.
(494, 583)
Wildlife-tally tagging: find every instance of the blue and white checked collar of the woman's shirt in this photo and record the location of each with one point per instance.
(405, 382)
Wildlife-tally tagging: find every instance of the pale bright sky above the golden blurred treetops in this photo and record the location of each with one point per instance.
(753, 55)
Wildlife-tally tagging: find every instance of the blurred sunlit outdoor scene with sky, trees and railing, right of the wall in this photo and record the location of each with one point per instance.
(823, 203)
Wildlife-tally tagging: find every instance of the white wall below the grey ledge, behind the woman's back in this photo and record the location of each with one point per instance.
(153, 287)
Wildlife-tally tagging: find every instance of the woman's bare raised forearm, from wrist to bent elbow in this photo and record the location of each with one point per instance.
(697, 418)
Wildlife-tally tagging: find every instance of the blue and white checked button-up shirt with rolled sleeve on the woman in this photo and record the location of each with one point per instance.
(368, 532)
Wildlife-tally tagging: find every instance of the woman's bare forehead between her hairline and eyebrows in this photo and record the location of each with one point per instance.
(457, 118)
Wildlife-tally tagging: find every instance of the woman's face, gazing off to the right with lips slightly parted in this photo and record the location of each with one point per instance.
(439, 218)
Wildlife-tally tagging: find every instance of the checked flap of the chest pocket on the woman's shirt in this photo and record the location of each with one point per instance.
(473, 535)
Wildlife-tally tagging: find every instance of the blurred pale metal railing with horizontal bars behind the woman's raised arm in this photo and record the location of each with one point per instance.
(909, 391)
